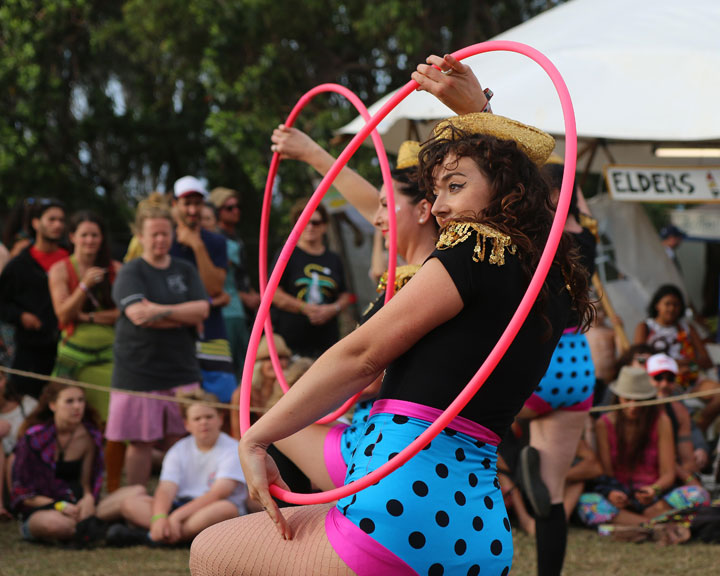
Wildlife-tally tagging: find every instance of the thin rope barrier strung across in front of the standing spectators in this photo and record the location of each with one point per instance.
(89, 386)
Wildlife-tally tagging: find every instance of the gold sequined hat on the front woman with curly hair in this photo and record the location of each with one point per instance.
(538, 145)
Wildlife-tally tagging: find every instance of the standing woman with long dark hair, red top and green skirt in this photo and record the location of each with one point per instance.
(80, 287)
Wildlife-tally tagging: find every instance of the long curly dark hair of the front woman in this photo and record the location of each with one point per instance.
(520, 206)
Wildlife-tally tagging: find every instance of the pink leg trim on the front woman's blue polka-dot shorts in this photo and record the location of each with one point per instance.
(363, 555)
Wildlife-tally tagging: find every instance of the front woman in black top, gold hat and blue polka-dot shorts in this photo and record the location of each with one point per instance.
(442, 512)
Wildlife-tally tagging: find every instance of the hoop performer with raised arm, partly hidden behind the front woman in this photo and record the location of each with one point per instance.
(322, 451)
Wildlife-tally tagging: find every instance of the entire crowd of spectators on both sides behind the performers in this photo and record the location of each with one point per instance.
(161, 340)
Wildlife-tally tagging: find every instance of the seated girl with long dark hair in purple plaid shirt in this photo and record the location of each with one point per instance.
(57, 472)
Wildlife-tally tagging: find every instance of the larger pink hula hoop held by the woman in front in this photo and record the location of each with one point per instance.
(525, 305)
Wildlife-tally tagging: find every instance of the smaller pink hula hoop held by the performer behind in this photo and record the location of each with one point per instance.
(265, 224)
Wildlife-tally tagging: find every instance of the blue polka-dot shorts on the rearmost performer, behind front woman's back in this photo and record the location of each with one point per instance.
(570, 377)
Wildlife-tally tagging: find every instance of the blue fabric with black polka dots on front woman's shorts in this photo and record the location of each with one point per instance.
(440, 513)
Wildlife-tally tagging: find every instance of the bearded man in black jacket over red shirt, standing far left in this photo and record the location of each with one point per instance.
(25, 298)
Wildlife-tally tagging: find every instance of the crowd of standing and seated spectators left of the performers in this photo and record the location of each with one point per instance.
(156, 345)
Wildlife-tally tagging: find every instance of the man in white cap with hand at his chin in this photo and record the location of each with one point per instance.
(208, 252)
